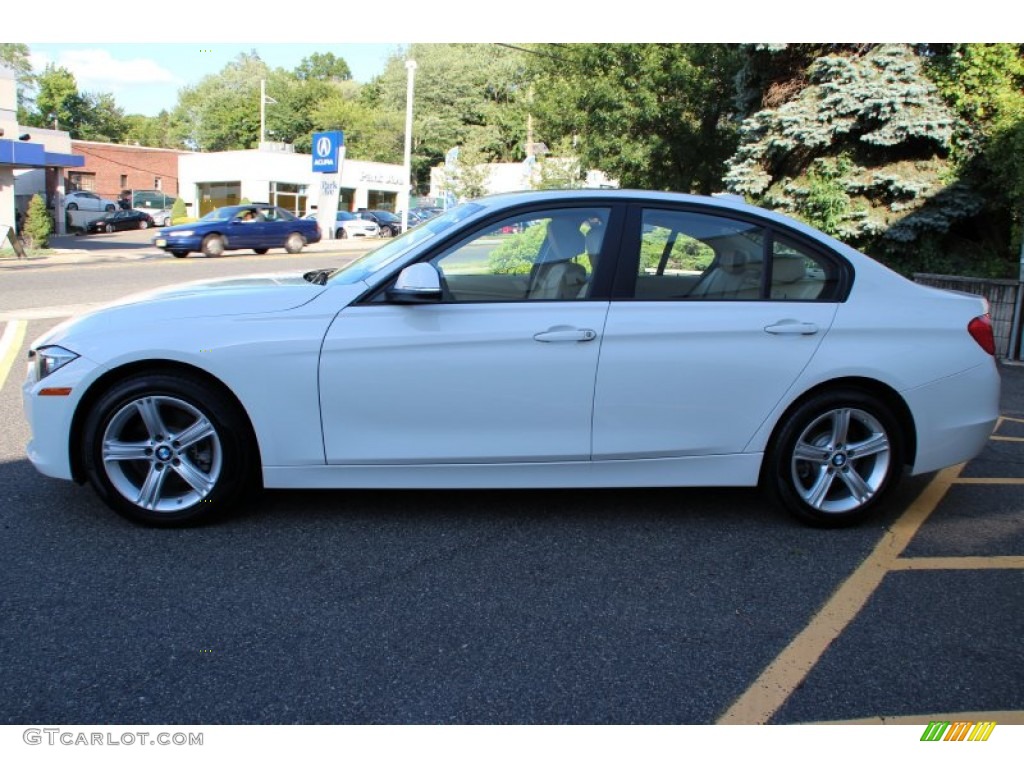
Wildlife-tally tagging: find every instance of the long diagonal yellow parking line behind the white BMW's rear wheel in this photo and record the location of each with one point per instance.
(788, 671)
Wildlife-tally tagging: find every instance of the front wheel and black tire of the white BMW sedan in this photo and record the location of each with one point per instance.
(158, 481)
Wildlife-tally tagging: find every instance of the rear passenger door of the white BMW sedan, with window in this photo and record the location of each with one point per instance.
(705, 344)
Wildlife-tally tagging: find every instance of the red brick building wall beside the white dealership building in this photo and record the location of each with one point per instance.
(111, 168)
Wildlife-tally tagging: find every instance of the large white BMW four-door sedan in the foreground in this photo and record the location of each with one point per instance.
(584, 339)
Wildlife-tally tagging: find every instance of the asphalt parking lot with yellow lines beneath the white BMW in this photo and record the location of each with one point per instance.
(554, 608)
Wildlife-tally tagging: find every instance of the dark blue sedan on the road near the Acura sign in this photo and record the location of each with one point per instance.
(260, 228)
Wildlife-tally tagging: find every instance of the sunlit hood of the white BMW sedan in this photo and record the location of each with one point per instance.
(255, 294)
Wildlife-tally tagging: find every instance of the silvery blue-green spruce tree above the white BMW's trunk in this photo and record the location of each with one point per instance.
(864, 150)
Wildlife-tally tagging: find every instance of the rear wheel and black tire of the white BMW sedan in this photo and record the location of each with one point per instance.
(834, 458)
